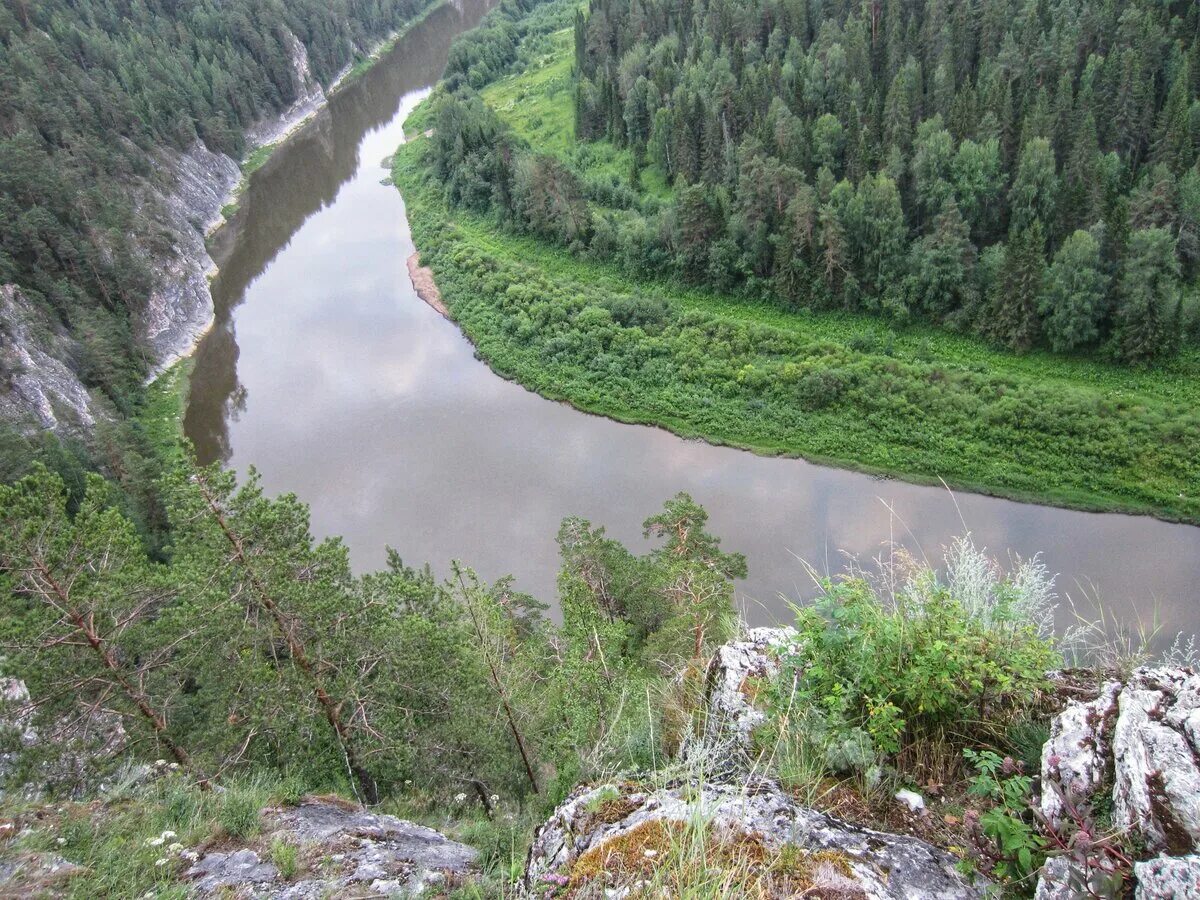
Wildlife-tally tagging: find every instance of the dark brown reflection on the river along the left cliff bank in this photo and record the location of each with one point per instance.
(302, 178)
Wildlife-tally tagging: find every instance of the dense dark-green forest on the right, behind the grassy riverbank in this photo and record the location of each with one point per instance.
(1027, 171)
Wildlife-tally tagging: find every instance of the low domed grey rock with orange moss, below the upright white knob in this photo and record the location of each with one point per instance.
(880, 866)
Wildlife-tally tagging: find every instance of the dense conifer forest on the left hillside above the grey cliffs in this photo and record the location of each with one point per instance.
(92, 89)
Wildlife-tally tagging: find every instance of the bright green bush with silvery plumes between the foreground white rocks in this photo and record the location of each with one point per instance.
(910, 664)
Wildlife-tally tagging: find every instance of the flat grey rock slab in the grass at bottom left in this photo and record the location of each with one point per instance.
(351, 854)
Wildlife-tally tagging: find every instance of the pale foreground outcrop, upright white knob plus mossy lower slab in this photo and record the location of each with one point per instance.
(829, 857)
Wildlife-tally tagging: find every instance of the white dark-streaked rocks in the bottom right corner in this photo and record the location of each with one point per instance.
(1135, 749)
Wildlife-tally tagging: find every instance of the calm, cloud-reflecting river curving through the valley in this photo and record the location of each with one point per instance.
(328, 374)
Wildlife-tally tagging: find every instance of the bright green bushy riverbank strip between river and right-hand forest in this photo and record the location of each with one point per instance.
(839, 389)
